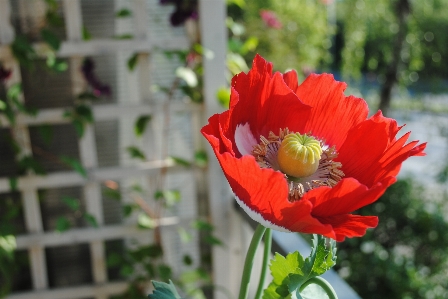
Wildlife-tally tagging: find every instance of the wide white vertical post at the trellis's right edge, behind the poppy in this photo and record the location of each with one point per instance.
(214, 38)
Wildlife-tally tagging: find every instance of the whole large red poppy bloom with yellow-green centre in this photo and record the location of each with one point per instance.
(355, 158)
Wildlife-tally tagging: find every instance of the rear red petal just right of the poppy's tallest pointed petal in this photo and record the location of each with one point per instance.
(333, 114)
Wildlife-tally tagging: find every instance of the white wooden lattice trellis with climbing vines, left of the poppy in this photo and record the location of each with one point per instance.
(134, 99)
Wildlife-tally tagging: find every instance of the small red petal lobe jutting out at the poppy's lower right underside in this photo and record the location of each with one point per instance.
(350, 225)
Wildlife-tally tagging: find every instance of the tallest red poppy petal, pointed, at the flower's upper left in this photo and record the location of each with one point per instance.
(263, 100)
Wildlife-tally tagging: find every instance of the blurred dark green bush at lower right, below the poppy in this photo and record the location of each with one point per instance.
(405, 256)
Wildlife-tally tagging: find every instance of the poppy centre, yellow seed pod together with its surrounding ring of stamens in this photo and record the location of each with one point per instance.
(306, 161)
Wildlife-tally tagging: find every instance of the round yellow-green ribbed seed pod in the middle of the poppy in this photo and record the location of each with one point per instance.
(299, 155)
